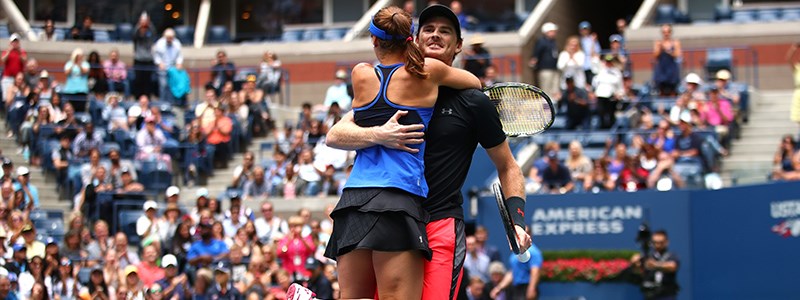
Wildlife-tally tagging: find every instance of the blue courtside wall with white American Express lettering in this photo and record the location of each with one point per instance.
(734, 243)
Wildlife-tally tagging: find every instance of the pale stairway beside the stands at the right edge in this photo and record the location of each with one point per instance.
(751, 156)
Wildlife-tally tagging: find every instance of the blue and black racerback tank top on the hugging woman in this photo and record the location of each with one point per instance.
(378, 166)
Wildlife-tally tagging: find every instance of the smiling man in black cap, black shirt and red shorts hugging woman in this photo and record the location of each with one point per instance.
(461, 120)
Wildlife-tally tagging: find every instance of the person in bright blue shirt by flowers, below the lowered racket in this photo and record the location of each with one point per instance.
(523, 278)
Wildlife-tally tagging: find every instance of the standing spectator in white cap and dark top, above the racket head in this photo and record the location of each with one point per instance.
(544, 61)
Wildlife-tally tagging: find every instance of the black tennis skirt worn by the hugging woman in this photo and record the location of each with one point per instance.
(380, 219)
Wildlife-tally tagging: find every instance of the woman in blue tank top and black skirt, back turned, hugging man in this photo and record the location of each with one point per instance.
(379, 235)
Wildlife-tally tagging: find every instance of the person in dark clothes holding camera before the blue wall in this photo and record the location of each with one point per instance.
(658, 269)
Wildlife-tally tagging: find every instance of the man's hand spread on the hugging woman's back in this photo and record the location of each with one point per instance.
(394, 135)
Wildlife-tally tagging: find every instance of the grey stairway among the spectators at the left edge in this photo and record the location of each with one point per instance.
(46, 185)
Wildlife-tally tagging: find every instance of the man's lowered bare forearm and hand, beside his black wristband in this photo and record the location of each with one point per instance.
(512, 181)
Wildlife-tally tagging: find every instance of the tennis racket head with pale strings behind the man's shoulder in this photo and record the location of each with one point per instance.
(524, 109)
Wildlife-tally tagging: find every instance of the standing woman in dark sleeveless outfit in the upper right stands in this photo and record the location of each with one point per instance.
(667, 52)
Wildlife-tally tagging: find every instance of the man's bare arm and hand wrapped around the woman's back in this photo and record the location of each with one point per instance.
(347, 135)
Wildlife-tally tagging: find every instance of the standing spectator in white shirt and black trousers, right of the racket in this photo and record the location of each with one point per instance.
(608, 90)
